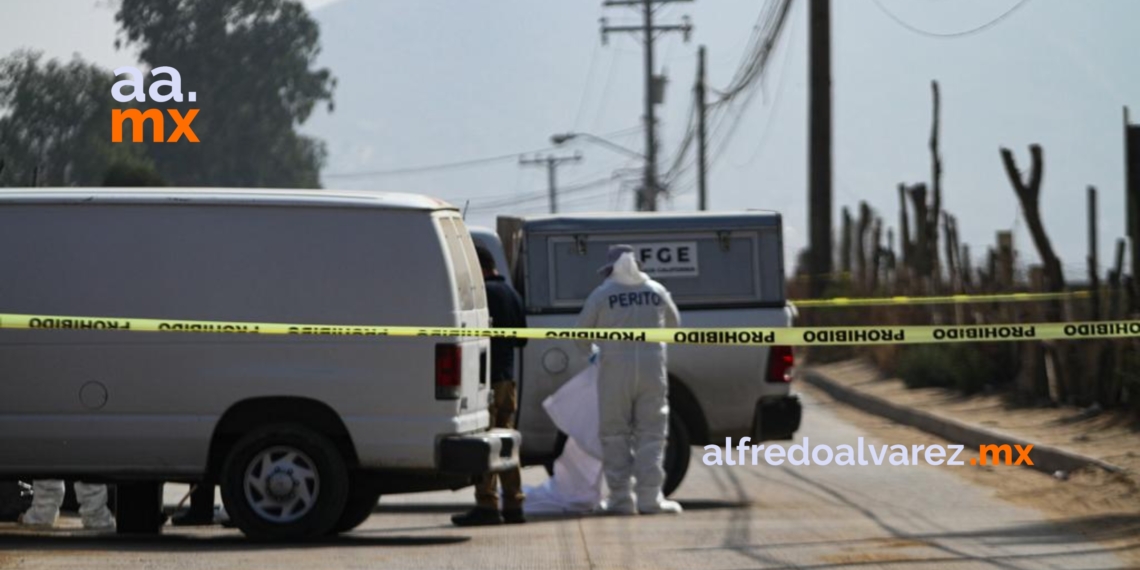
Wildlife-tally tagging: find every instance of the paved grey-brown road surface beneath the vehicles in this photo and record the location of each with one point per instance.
(737, 518)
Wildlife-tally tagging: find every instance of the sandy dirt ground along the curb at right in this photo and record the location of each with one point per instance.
(1102, 506)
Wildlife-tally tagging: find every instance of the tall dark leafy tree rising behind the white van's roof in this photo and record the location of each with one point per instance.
(250, 64)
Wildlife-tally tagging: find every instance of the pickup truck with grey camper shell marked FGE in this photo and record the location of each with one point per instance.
(723, 270)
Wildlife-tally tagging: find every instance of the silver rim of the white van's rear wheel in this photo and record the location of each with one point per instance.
(282, 485)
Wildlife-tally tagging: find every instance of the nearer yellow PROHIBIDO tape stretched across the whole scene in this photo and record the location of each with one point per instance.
(794, 337)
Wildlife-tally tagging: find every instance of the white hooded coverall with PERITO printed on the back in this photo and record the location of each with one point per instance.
(633, 386)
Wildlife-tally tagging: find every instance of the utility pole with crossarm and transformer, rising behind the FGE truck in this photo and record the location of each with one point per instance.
(655, 86)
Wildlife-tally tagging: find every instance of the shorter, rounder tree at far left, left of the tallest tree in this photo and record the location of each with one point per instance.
(54, 120)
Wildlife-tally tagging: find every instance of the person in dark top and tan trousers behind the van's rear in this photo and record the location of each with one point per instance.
(506, 308)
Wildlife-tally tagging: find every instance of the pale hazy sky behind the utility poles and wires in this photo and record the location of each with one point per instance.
(438, 82)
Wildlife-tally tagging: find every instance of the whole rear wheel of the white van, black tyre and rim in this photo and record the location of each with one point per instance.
(284, 483)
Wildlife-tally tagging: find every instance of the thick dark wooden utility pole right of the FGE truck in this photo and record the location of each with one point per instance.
(819, 165)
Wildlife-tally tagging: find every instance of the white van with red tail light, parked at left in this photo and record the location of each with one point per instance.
(303, 434)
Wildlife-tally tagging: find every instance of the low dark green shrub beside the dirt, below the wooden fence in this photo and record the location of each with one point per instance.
(965, 368)
